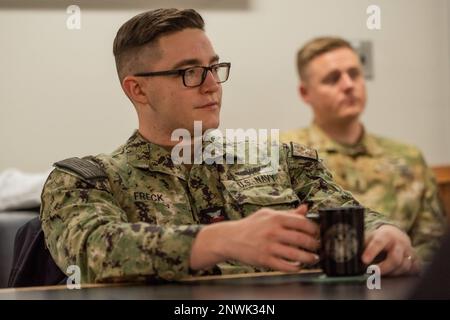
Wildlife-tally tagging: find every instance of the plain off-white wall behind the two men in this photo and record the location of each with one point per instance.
(60, 97)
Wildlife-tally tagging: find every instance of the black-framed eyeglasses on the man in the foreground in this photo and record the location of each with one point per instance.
(195, 76)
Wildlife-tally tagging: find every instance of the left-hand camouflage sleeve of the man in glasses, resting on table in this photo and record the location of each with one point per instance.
(84, 226)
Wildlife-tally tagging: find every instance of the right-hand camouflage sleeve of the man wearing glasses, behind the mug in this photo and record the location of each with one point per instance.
(314, 185)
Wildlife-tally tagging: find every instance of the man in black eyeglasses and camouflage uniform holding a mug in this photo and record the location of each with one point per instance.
(135, 215)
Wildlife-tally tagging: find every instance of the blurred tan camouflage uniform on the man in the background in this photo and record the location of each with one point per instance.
(387, 176)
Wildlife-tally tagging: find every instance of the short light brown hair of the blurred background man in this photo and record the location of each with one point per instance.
(315, 48)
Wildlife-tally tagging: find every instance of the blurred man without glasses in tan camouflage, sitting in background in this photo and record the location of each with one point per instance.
(384, 174)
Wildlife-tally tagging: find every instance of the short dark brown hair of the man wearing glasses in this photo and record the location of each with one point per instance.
(146, 28)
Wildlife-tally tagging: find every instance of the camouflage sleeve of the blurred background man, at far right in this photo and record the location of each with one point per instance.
(430, 224)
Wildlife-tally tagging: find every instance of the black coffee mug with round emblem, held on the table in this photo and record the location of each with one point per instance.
(342, 240)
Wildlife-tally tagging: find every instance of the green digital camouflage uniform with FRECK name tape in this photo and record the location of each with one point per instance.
(134, 214)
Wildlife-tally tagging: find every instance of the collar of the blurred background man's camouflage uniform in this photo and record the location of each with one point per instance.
(367, 144)
